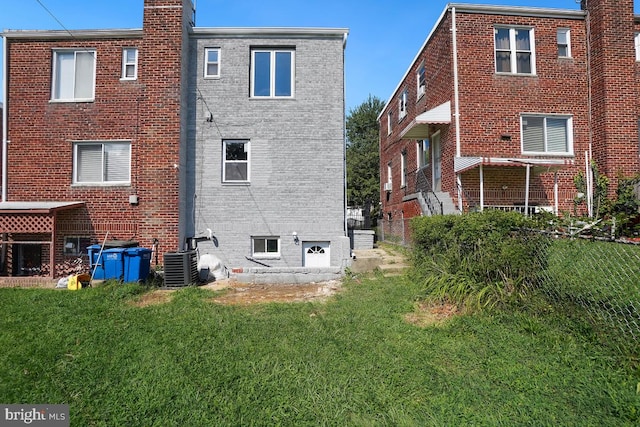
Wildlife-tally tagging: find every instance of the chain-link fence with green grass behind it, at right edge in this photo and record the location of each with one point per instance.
(597, 277)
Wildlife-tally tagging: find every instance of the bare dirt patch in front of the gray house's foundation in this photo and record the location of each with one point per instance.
(245, 294)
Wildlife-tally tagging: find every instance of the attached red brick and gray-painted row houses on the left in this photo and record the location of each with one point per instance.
(106, 136)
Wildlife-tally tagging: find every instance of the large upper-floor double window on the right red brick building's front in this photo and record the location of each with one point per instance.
(515, 51)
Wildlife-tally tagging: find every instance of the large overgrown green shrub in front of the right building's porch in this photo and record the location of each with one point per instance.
(479, 259)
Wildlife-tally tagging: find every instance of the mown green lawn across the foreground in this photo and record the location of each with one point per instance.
(351, 361)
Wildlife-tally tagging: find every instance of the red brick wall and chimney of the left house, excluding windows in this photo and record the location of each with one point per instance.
(144, 111)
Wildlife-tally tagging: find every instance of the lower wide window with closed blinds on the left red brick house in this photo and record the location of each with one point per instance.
(102, 162)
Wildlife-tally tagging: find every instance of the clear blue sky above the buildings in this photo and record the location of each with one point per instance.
(384, 36)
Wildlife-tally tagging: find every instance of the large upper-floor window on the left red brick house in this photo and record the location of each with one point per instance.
(74, 75)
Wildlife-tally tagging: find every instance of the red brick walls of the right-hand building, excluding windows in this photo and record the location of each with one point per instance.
(490, 104)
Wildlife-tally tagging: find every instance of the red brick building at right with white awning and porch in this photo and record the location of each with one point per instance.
(503, 106)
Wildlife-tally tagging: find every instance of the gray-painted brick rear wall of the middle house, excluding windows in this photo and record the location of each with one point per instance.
(296, 151)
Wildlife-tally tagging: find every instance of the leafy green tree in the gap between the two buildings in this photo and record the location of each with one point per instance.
(363, 156)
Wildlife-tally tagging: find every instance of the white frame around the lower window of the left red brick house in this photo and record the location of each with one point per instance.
(78, 179)
